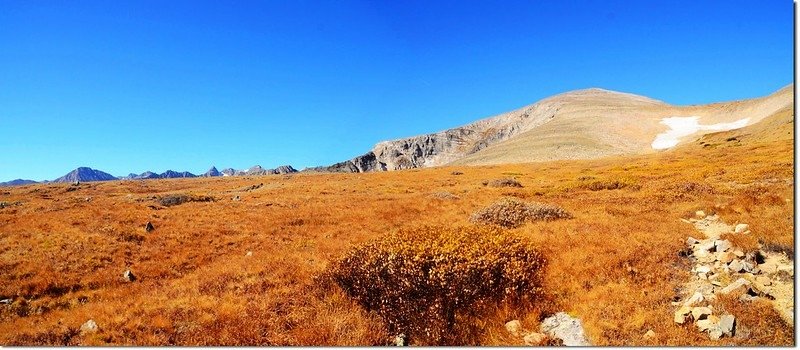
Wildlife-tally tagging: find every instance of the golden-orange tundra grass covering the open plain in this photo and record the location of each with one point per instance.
(614, 264)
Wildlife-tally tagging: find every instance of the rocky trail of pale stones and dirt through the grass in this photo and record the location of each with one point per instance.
(719, 268)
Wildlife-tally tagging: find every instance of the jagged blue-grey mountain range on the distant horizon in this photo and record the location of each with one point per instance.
(86, 174)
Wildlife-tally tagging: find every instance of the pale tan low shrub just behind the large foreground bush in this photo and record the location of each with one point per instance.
(512, 212)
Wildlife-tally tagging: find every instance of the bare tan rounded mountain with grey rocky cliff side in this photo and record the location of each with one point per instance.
(582, 124)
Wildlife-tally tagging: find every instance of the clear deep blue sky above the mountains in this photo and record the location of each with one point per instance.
(129, 86)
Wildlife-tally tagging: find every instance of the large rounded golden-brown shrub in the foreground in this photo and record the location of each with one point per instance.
(434, 283)
